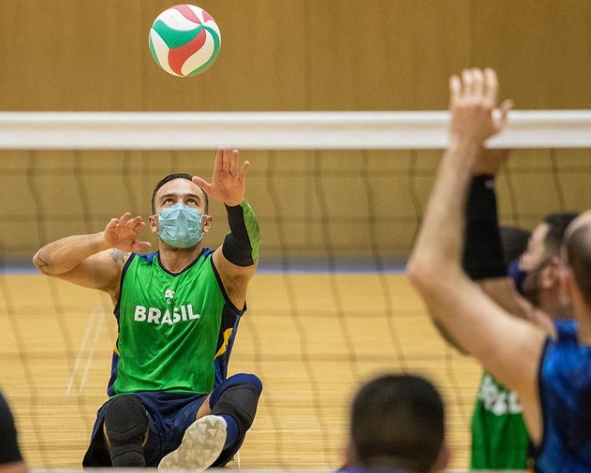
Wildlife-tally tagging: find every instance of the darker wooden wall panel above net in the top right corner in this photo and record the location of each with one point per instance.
(540, 48)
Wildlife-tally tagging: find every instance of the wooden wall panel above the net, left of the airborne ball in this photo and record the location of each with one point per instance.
(70, 55)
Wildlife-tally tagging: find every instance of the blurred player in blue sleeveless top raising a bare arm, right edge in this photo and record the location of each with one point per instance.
(552, 379)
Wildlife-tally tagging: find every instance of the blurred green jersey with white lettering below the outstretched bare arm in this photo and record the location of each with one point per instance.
(499, 436)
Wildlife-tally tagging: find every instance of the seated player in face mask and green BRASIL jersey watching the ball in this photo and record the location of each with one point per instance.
(177, 310)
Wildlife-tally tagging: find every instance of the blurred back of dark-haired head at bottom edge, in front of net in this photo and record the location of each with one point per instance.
(398, 422)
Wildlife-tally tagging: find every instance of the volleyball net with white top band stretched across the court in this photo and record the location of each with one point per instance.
(339, 197)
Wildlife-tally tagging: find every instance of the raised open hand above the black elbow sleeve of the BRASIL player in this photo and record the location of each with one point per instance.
(228, 183)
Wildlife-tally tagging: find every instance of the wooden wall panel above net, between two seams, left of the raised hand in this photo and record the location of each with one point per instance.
(385, 54)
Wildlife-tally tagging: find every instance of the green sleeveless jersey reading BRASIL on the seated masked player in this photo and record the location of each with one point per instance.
(175, 330)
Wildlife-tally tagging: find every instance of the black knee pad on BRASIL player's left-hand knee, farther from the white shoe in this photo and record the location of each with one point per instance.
(126, 423)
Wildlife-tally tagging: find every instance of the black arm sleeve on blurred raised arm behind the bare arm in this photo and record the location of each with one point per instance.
(483, 249)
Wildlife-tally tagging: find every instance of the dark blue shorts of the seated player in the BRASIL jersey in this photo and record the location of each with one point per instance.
(169, 415)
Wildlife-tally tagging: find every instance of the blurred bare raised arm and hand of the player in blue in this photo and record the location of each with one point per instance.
(508, 347)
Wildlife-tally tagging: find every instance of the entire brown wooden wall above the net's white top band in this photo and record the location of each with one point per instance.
(295, 54)
